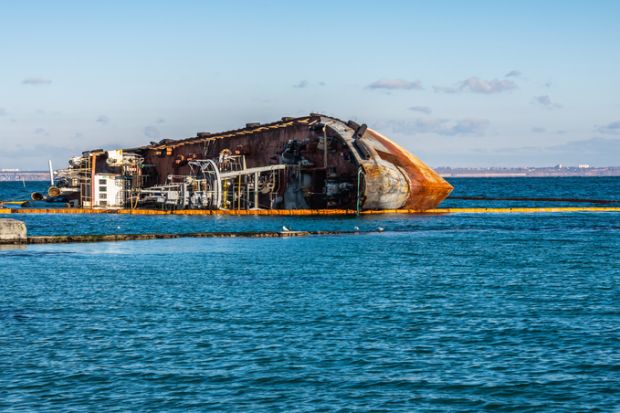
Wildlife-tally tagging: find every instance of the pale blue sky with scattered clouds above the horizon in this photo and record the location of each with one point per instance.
(458, 83)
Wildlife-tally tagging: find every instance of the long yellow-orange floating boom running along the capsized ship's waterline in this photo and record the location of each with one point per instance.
(310, 212)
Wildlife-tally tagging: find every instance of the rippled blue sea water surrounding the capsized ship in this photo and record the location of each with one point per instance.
(438, 313)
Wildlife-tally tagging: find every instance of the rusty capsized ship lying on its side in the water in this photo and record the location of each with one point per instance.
(310, 162)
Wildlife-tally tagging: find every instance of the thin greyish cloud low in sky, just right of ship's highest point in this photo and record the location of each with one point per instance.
(445, 127)
